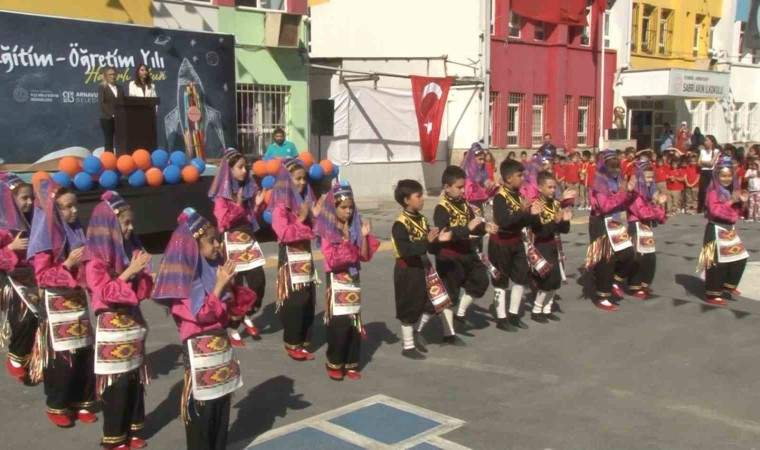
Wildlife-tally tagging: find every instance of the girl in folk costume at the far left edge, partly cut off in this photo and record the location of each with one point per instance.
(19, 300)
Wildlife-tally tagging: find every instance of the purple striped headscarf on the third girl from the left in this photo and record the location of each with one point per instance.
(104, 238)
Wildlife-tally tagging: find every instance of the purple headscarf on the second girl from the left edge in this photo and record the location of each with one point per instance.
(49, 231)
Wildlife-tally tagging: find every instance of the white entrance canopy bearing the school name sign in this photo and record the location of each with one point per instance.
(682, 83)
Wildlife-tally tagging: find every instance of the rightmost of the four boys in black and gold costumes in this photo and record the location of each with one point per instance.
(552, 221)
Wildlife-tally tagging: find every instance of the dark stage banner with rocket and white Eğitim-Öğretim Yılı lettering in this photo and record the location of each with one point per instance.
(50, 72)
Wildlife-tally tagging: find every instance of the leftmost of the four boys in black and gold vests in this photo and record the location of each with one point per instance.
(418, 290)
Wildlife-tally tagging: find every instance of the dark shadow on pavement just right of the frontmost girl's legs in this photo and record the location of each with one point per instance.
(261, 406)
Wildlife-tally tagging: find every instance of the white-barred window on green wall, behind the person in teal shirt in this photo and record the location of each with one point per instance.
(260, 109)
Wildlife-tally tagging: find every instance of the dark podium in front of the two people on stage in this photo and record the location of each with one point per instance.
(135, 124)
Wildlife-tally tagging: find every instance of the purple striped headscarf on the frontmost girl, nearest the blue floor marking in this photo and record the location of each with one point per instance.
(183, 272)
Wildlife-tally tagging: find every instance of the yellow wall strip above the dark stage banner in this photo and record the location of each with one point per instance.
(128, 11)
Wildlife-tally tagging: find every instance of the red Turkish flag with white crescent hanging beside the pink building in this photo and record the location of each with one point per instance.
(430, 103)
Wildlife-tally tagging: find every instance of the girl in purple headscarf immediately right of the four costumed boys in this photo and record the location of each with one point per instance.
(610, 252)
